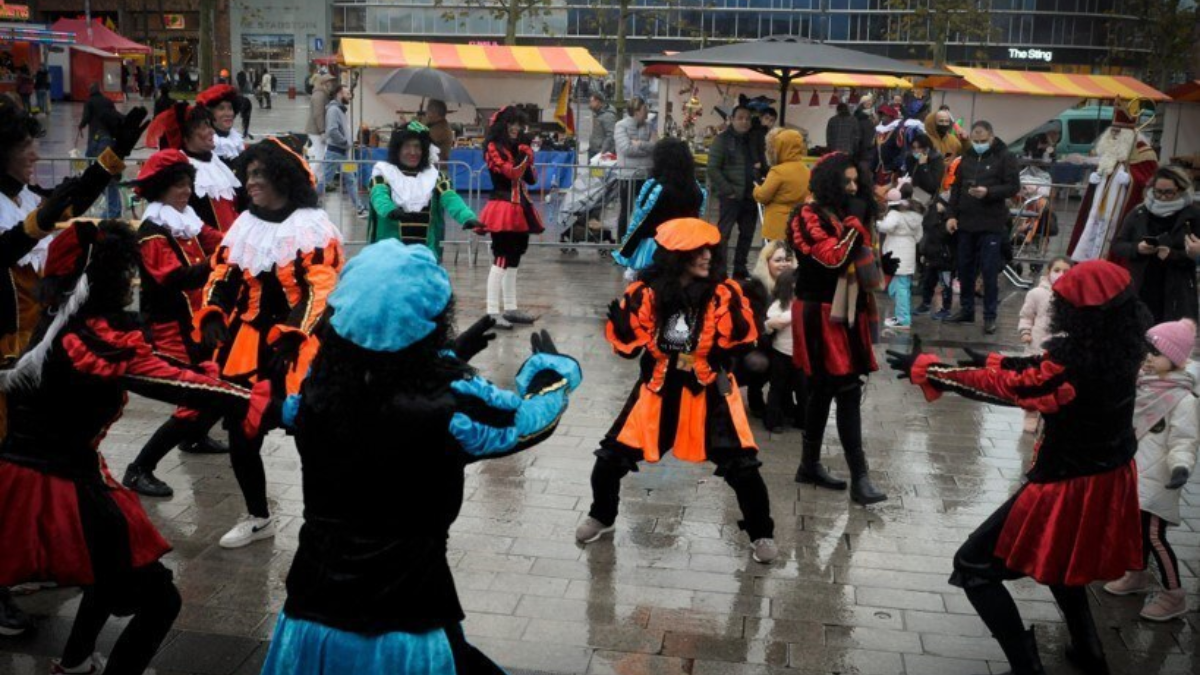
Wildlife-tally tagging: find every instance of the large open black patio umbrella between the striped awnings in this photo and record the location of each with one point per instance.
(791, 58)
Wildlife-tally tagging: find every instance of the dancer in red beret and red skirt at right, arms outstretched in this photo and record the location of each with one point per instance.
(1077, 518)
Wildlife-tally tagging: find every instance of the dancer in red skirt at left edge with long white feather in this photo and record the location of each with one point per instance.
(63, 516)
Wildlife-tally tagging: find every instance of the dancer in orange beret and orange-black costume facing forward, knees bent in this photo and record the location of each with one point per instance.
(686, 321)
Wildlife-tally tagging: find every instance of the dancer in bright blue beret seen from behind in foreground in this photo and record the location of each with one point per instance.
(386, 425)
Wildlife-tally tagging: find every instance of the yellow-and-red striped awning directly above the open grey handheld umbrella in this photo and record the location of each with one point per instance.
(479, 58)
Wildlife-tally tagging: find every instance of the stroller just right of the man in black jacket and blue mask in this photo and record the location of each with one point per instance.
(1034, 225)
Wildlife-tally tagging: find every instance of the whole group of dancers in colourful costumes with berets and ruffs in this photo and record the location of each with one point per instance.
(254, 316)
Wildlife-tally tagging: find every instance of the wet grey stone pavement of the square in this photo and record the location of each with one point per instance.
(675, 590)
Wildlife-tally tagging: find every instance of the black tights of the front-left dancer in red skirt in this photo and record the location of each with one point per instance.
(149, 596)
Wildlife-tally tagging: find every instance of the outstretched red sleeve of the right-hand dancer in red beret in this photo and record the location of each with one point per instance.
(1035, 384)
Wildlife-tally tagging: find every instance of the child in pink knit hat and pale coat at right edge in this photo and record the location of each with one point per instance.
(1166, 425)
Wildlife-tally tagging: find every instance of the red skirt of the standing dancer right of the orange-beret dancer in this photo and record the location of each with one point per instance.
(823, 348)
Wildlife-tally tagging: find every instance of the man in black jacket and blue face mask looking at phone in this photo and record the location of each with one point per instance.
(987, 178)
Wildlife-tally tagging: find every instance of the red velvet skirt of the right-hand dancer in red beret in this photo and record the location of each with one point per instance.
(1075, 531)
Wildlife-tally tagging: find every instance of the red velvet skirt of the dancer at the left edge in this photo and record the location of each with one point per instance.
(43, 534)
